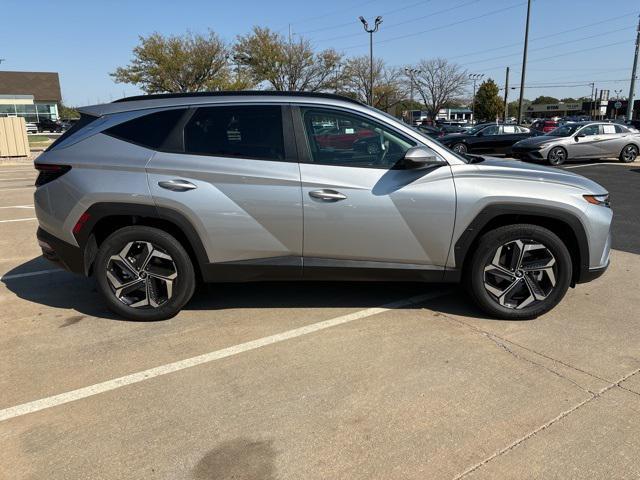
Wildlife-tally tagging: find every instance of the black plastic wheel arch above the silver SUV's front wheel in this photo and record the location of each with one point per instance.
(564, 224)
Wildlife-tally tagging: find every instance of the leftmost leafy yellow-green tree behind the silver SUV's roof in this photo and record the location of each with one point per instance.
(186, 63)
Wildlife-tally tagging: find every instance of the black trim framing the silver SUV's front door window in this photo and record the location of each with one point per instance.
(302, 140)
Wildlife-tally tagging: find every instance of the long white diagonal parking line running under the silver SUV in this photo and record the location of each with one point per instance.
(113, 384)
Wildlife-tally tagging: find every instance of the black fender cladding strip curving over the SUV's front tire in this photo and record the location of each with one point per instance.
(491, 212)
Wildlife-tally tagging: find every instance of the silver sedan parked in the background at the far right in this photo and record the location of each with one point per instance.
(581, 140)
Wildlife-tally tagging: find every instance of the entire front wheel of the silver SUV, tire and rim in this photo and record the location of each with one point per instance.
(519, 272)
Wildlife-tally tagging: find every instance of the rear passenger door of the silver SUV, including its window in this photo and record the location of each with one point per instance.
(235, 177)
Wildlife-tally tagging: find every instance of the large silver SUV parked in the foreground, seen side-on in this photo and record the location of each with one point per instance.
(151, 194)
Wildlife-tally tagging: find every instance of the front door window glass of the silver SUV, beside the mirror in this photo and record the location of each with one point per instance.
(344, 139)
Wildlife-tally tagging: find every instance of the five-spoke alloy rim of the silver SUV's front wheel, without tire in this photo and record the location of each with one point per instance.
(520, 274)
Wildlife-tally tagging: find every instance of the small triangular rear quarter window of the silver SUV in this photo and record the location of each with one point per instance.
(149, 130)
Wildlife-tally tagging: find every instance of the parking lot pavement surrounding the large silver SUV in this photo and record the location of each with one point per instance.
(327, 381)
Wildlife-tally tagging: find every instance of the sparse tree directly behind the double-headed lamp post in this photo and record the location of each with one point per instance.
(388, 88)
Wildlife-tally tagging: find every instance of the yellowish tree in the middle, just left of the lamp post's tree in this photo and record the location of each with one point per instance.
(286, 66)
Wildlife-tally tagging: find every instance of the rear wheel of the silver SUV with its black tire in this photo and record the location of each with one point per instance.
(182, 287)
